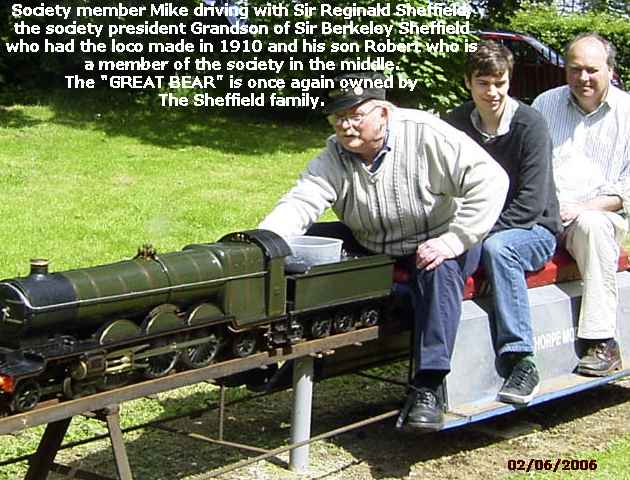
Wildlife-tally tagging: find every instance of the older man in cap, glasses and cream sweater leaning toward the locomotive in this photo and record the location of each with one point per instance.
(404, 183)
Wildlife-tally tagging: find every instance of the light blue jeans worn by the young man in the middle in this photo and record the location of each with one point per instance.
(506, 256)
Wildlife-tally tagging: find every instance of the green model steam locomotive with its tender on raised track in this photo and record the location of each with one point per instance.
(70, 334)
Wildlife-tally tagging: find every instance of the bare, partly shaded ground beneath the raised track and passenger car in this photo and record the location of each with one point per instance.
(562, 428)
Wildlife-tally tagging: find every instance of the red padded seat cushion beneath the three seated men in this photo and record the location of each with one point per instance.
(561, 268)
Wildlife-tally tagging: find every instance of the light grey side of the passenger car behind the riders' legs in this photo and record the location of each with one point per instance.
(474, 376)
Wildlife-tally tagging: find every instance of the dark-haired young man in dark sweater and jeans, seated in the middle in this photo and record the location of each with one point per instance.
(524, 236)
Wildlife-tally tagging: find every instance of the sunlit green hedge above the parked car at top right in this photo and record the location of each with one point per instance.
(554, 29)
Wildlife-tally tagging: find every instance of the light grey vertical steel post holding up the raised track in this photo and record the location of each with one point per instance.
(301, 416)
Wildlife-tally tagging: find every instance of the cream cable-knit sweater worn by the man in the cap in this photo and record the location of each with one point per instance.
(435, 182)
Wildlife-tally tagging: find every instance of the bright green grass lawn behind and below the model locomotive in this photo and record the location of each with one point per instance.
(84, 183)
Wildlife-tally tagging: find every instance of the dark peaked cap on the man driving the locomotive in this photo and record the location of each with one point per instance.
(352, 89)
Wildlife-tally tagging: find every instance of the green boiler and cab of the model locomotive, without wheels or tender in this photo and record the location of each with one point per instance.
(230, 275)
